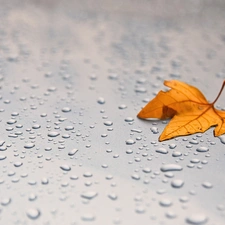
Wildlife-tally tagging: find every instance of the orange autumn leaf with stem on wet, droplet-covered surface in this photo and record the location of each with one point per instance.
(187, 106)
